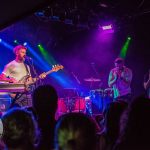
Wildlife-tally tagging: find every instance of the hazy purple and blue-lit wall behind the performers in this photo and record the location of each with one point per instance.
(84, 52)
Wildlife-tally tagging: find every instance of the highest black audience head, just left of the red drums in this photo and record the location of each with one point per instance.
(45, 100)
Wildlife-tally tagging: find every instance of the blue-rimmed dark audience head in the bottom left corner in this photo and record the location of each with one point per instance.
(19, 130)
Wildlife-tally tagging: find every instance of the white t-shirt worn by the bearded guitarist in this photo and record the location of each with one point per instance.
(16, 70)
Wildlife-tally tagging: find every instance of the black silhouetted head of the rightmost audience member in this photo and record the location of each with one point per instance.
(138, 119)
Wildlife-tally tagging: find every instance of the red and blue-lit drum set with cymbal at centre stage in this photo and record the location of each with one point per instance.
(95, 102)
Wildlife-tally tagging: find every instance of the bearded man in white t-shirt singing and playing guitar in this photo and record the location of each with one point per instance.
(16, 70)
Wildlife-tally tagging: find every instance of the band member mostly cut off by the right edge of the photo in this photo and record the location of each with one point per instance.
(147, 84)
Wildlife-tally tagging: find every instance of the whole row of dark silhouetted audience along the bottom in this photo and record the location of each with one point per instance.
(125, 127)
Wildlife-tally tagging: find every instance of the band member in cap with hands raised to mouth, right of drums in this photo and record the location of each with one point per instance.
(119, 80)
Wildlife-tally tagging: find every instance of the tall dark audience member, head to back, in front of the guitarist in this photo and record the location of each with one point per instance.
(45, 101)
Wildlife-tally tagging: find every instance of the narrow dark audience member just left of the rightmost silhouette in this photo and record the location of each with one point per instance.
(111, 130)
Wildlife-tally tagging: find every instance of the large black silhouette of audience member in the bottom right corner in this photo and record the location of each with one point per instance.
(137, 130)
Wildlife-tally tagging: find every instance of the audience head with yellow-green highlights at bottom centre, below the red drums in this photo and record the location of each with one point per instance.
(75, 131)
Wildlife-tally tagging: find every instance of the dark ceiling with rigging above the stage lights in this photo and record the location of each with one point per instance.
(85, 11)
